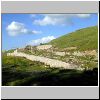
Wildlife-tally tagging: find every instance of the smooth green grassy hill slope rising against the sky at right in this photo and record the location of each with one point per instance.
(83, 39)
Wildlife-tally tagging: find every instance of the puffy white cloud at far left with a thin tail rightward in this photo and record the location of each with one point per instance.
(16, 28)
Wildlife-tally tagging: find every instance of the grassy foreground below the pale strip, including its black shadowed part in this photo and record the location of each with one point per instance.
(22, 72)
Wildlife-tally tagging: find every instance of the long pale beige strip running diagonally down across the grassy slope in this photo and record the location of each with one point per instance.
(46, 61)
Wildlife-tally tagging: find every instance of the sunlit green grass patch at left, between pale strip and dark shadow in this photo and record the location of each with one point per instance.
(21, 64)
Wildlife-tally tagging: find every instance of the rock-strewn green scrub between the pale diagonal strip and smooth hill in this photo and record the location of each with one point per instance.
(87, 61)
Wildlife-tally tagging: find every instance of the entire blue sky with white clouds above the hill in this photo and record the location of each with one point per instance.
(19, 30)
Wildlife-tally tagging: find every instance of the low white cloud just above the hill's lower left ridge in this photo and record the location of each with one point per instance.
(42, 40)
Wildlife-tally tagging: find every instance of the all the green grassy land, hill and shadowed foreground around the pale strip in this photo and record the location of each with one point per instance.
(17, 71)
